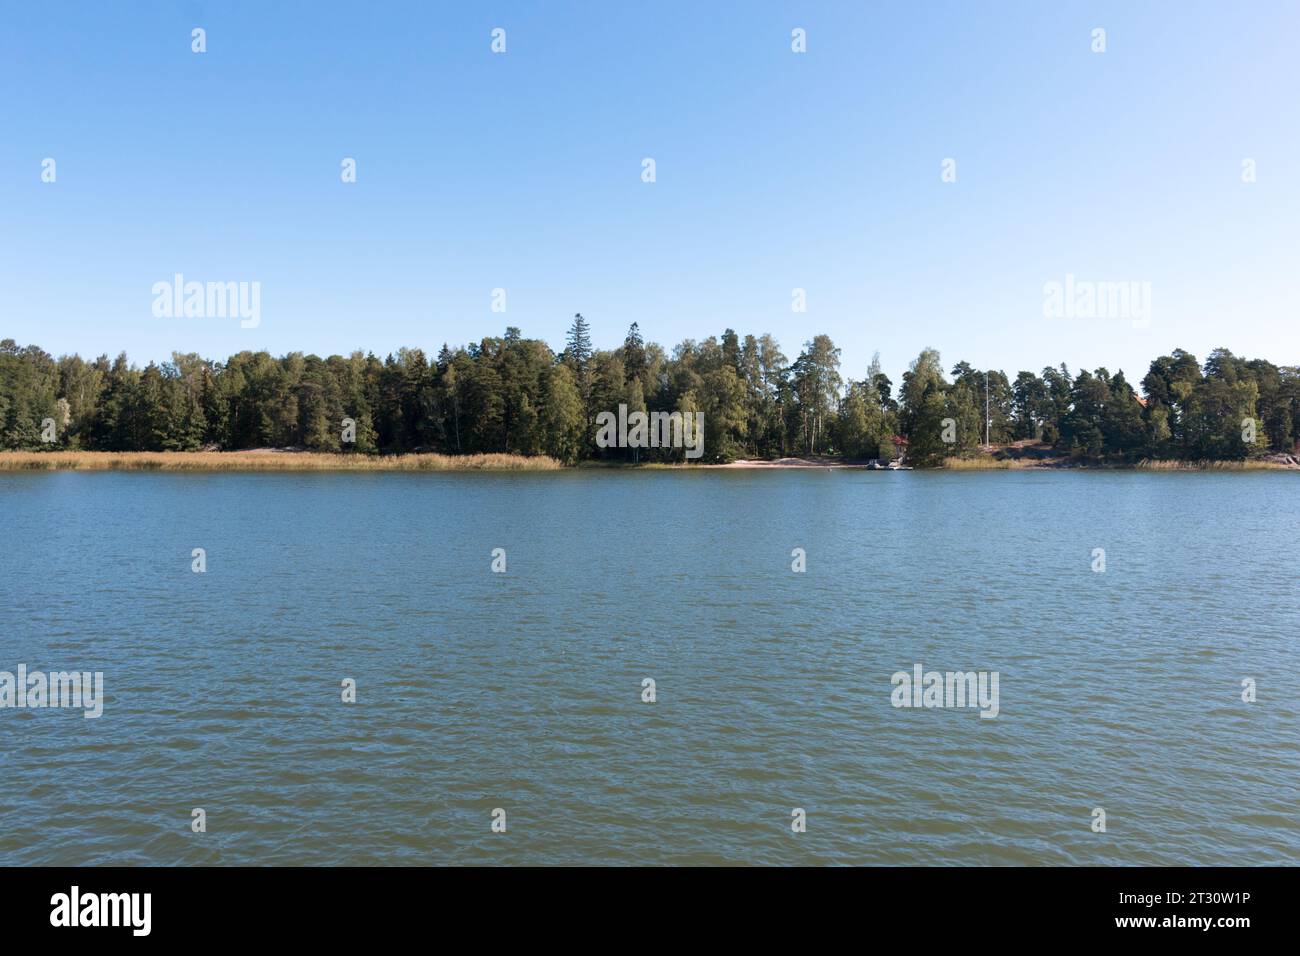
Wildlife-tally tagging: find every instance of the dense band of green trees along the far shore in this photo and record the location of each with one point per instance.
(515, 395)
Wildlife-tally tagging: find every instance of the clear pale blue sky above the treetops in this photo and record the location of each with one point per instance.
(774, 171)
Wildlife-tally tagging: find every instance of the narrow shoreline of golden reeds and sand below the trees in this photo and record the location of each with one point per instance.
(285, 461)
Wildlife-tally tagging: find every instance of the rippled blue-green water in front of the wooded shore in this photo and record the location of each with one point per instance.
(523, 691)
